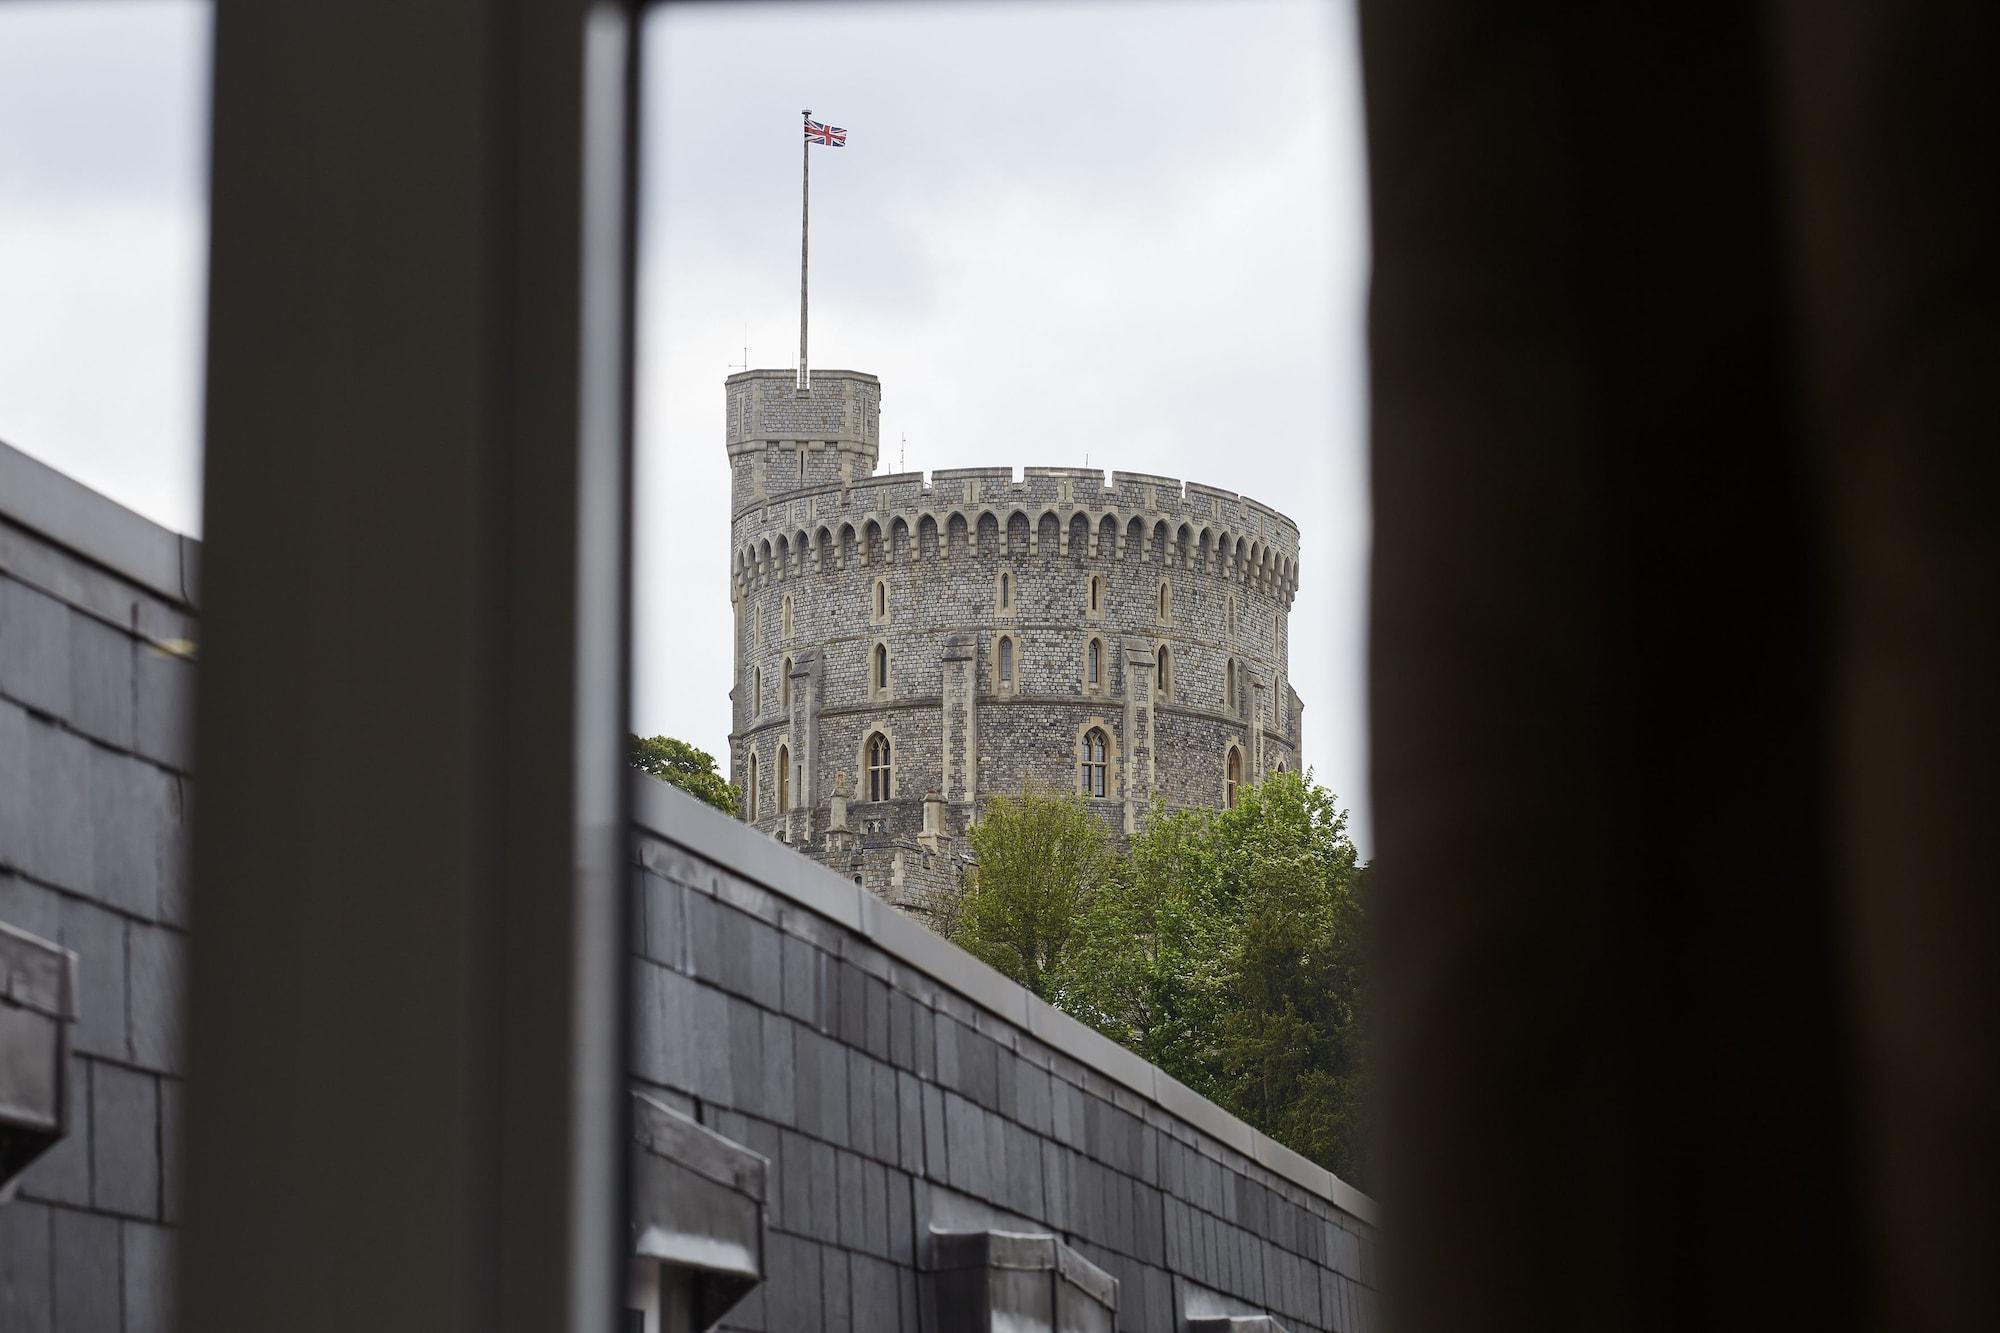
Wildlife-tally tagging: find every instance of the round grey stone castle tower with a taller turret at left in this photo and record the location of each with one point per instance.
(909, 647)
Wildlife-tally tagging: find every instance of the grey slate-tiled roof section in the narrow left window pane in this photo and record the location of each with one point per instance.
(95, 790)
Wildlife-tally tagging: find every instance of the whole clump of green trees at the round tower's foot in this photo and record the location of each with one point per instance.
(1225, 948)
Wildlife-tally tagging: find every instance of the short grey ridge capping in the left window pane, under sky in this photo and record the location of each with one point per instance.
(95, 527)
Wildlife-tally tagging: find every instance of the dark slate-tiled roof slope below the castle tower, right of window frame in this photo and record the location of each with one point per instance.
(887, 1104)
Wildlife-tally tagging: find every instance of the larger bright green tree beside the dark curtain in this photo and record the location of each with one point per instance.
(1227, 952)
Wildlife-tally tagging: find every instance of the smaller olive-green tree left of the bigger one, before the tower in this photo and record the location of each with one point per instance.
(1039, 862)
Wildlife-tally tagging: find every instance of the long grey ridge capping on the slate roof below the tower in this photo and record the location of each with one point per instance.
(679, 818)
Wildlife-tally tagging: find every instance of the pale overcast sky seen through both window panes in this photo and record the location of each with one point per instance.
(1129, 235)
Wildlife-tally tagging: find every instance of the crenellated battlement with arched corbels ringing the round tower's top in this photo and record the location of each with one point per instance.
(969, 513)
